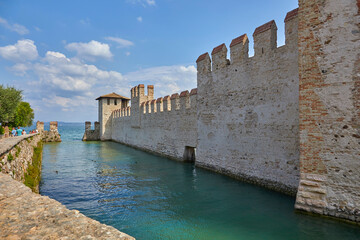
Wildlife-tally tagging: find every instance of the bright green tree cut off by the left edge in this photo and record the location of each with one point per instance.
(9, 100)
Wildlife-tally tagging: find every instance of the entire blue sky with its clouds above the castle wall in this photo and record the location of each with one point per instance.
(64, 54)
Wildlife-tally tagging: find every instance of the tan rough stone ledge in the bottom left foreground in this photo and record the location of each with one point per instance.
(27, 215)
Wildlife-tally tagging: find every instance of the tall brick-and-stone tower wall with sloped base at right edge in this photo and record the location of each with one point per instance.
(329, 65)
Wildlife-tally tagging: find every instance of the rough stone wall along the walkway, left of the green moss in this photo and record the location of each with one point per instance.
(16, 155)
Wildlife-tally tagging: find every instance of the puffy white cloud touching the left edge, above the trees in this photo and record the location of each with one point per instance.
(21, 51)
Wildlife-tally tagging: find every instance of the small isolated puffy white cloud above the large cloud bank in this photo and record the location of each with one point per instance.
(90, 50)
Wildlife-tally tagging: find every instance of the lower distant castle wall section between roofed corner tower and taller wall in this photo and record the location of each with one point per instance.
(166, 126)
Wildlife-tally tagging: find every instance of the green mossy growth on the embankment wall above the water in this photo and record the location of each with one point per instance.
(33, 174)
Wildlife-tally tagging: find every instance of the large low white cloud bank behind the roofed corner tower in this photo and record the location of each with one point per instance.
(64, 86)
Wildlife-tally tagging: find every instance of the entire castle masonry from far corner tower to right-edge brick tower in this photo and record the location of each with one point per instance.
(287, 118)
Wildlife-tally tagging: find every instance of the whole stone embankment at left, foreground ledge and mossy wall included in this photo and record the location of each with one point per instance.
(27, 215)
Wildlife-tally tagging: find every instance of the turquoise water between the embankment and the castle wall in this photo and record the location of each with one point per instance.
(151, 197)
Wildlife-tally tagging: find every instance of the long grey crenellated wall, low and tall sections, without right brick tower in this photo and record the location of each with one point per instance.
(242, 120)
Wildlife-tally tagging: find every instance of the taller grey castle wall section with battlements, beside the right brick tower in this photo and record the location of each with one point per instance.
(248, 109)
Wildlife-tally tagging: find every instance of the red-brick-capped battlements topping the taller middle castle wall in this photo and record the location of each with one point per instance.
(265, 46)
